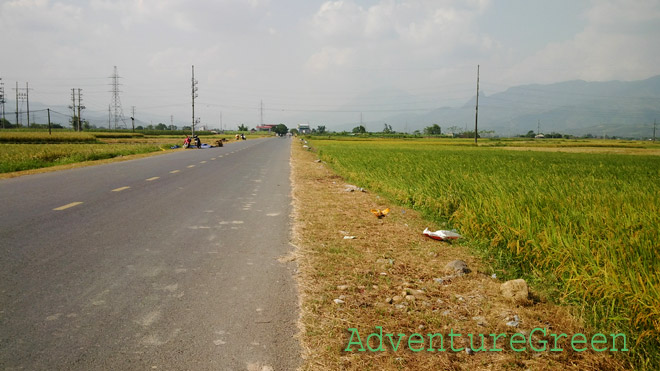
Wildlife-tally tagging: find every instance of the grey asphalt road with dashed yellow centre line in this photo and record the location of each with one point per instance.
(163, 263)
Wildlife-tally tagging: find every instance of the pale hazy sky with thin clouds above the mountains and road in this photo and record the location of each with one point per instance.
(309, 59)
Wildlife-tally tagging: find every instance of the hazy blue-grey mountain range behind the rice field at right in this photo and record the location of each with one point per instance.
(613, 108)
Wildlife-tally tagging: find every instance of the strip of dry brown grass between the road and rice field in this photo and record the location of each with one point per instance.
(390, 257)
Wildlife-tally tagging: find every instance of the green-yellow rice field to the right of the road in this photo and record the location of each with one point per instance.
(583, 226)
